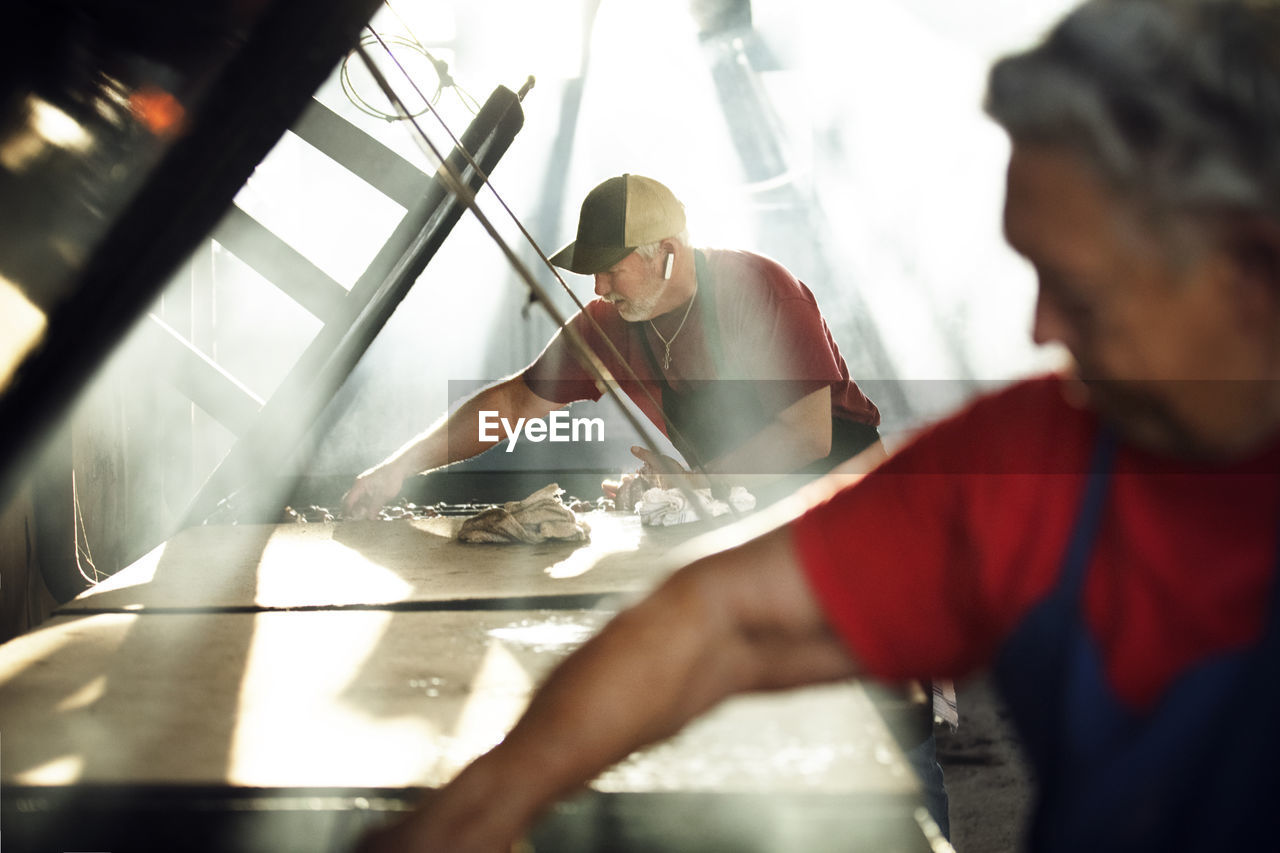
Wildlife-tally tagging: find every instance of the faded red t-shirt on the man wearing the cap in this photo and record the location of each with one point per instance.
(770, 331)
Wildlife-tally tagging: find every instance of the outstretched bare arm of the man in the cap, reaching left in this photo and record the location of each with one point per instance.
(450, 440)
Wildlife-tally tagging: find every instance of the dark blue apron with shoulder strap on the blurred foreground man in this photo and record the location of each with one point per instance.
(1200, 773)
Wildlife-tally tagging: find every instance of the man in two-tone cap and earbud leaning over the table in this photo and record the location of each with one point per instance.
(725, 352)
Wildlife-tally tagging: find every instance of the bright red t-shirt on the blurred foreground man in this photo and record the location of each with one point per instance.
(929, 564)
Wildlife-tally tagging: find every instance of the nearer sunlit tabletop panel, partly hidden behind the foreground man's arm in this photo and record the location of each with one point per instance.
(341, 699)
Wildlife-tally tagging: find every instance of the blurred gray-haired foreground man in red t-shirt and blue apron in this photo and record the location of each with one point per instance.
(1108, 541)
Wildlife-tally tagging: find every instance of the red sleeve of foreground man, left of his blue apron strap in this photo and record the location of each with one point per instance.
(926, 564)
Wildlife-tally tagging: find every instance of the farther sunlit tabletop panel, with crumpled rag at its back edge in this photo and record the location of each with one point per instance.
(383, 563)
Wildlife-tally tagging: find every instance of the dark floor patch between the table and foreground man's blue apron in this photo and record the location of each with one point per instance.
(986, 778)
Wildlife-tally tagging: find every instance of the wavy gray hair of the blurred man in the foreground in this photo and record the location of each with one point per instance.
(1176, 103)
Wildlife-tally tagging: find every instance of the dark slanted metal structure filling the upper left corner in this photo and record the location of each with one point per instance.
(166, 110)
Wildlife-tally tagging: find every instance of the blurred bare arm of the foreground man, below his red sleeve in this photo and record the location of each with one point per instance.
(739, 621)
